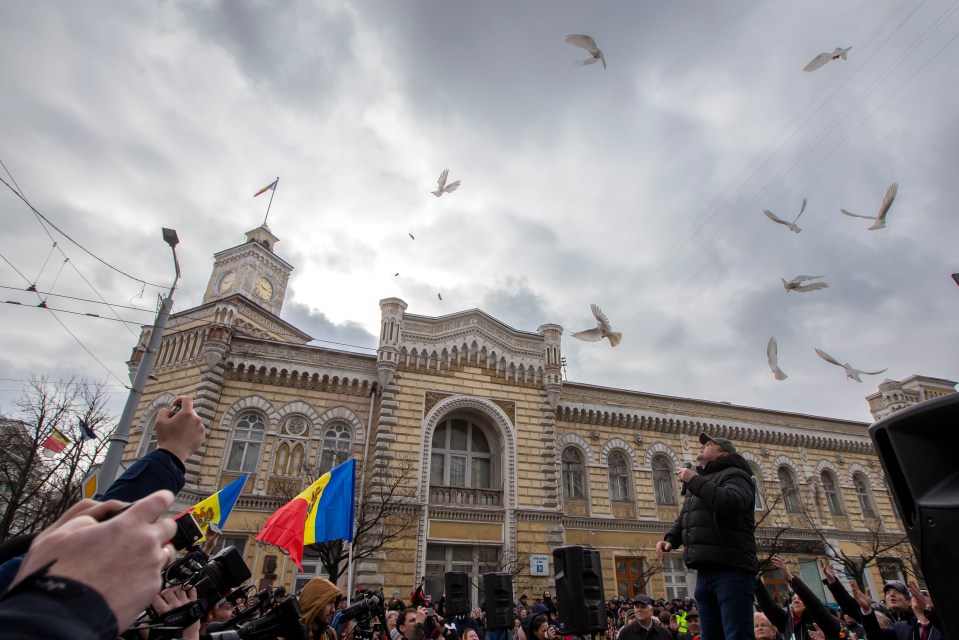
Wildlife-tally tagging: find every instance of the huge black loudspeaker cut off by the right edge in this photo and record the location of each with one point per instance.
(917, 448)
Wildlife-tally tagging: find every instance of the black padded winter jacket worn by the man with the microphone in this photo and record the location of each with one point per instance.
(717, 521)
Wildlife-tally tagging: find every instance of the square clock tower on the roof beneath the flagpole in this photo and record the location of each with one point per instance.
(252, 270)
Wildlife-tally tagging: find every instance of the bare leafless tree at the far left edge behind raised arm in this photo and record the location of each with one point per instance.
(38, 489)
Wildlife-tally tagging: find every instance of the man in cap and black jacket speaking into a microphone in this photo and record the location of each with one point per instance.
(716, 525)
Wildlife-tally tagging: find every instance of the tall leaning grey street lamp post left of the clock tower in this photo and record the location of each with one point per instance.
(121, 436)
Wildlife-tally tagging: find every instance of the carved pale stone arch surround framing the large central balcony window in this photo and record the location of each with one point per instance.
(507, 433)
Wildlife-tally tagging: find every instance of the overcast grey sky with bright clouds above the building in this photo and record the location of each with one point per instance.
(639, 187)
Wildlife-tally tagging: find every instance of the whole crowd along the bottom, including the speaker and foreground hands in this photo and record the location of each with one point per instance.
(95, 571)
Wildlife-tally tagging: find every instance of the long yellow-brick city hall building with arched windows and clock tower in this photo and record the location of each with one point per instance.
(495, 458)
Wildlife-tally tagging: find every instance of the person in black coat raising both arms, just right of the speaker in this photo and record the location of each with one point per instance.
(806, 609)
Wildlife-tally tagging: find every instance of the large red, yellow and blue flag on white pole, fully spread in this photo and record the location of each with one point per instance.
(322, 513)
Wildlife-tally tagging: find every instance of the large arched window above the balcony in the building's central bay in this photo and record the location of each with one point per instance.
(461, 456)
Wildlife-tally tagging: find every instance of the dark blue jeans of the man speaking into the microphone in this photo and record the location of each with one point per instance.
(724, 598)
